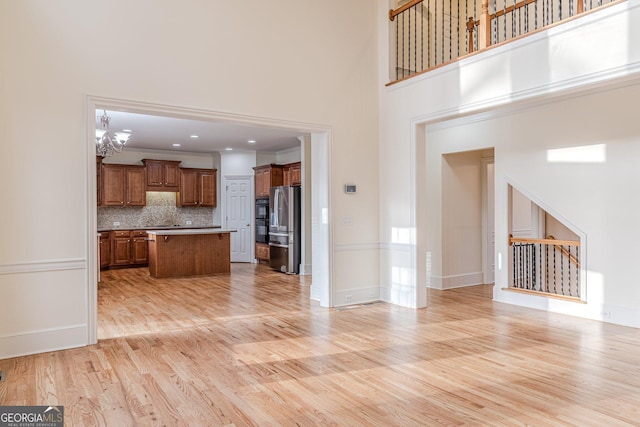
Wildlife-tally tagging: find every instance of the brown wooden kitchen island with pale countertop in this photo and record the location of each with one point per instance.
(192, 252)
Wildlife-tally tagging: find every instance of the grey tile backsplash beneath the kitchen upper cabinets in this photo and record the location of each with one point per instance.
(161, 209)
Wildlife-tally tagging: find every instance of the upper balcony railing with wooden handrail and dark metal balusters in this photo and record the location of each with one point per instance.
(429, 33)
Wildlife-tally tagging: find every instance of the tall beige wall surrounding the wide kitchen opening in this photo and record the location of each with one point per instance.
(56, 57)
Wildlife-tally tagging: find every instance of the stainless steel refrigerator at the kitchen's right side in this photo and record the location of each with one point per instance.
(284, 229)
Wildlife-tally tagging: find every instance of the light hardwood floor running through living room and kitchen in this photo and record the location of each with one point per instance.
(251, 349)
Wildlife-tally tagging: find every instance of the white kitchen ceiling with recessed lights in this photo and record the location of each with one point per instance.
(160, 133)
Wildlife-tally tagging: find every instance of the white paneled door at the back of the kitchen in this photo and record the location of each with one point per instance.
(239, 216)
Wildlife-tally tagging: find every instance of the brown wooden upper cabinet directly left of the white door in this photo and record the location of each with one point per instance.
(198, 187)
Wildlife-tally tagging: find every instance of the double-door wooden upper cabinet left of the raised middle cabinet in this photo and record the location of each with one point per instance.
(123, 185)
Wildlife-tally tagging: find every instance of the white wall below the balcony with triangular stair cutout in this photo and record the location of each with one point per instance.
(557, 88)
